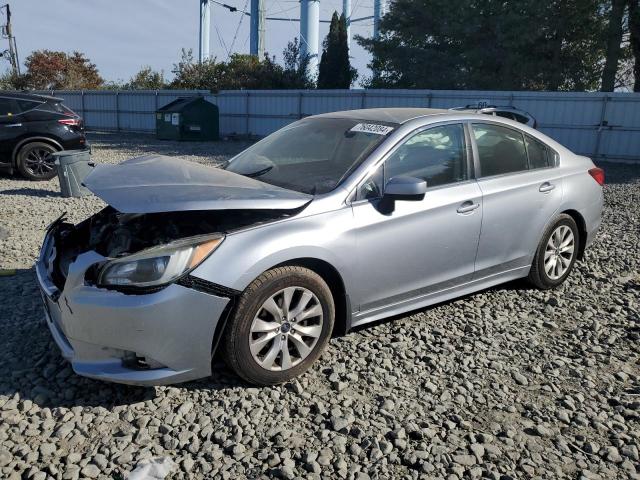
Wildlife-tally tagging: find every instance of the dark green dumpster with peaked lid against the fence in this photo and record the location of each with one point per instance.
(188, 118)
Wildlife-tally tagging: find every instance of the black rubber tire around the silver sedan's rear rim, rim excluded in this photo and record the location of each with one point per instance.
(538, 275)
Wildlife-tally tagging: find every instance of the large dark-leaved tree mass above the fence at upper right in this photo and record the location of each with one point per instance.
(490, 45)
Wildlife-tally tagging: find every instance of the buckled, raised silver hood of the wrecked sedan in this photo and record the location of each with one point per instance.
(157, 183)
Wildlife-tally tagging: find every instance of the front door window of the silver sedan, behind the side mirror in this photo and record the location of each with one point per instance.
(436, 155)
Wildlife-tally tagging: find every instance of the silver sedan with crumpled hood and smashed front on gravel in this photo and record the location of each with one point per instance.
(334, 221)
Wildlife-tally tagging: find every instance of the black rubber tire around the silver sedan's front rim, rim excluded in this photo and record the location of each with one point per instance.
(235, 344)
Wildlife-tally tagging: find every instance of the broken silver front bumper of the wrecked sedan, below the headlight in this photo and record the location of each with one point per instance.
(149, 339)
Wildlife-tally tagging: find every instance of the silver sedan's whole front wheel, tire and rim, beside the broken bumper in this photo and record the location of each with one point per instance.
(282, 322)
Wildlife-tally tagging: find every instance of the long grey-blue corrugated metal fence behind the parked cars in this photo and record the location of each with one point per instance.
(601, 125)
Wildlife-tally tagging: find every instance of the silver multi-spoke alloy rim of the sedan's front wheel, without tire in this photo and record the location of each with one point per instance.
(286, 328)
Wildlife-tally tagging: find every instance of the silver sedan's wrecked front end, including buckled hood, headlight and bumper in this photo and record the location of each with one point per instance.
(119, 298)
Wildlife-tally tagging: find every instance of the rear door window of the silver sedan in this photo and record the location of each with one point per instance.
(501, 150)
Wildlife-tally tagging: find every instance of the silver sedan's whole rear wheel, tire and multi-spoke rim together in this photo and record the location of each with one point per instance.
(556, 254)
